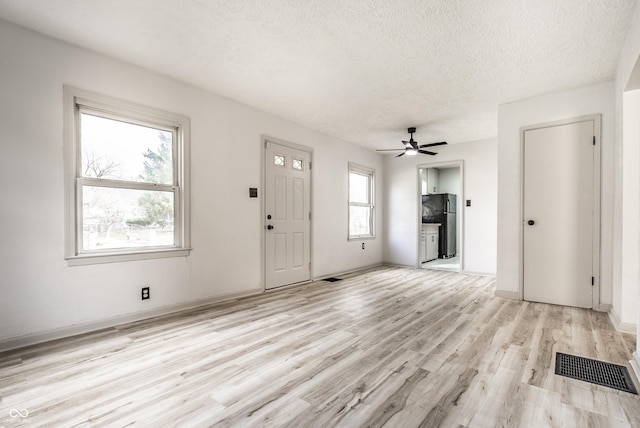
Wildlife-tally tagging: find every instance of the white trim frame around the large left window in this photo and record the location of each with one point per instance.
(74, 97)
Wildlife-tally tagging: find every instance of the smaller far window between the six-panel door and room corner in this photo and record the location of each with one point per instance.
(361, 202)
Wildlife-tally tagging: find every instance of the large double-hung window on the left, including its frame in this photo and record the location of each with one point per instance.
(126, 172)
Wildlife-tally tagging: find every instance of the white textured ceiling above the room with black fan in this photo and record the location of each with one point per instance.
(361, 70)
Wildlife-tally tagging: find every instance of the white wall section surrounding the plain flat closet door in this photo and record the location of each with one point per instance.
(511, 118)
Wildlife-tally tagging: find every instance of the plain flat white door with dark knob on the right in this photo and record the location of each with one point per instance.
(558, 214)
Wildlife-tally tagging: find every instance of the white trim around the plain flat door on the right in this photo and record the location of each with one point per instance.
(597, 130)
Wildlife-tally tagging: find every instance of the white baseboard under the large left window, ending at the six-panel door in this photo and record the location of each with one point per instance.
(74, 330)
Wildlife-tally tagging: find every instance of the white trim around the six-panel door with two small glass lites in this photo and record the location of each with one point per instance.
(263, 210)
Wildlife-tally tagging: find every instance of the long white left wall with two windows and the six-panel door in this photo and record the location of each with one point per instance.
(41, 293)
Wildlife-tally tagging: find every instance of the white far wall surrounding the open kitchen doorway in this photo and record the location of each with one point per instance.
(479, 222)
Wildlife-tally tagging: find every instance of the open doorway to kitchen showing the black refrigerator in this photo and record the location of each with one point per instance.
(440, 216)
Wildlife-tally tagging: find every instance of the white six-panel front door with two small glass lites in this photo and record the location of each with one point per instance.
(287, 215)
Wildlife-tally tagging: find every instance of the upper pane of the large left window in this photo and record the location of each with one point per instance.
(123, 151)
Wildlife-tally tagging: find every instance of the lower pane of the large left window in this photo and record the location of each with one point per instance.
(126, 218)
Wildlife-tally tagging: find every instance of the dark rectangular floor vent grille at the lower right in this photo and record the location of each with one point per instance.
(594, 371)
